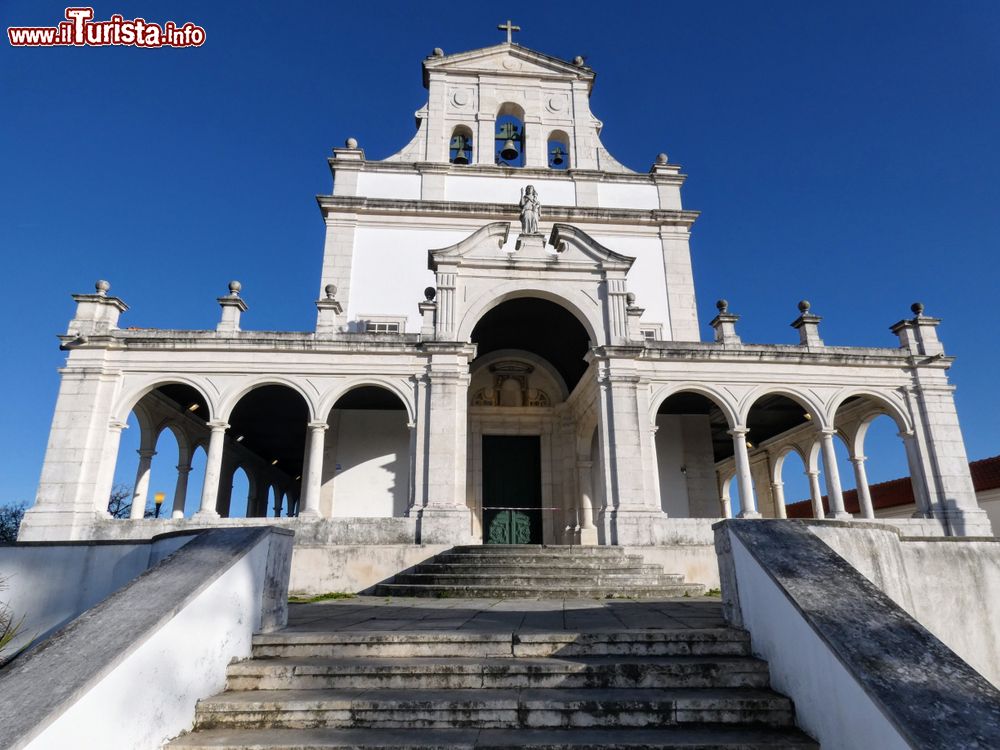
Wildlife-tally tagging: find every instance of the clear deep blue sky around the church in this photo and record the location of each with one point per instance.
(845, 152)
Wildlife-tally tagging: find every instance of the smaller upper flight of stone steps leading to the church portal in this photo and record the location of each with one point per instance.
(538, 572)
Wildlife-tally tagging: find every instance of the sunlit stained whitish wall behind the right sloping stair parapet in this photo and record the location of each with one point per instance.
(950, 585)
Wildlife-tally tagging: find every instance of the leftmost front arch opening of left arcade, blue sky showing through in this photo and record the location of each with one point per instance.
(154, 452)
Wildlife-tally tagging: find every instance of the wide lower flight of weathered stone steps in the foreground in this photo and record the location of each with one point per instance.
(691, 688)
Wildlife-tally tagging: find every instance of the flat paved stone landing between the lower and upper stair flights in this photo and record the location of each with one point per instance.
(369, 614)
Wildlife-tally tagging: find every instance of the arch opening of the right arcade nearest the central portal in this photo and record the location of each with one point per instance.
(692, 436)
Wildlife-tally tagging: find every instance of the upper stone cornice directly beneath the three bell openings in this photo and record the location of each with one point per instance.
(490, 170)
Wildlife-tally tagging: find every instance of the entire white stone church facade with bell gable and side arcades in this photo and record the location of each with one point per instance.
(506, 350)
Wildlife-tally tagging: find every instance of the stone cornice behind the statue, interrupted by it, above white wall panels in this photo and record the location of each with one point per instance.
(502, 211)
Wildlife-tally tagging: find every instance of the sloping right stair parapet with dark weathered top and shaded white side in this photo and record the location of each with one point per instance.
(801, 601)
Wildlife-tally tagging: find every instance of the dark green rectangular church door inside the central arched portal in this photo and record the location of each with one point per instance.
(512, 489)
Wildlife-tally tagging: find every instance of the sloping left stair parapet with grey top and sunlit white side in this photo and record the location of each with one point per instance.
(175, 627)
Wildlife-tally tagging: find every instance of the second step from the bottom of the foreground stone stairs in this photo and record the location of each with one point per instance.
(485, 709)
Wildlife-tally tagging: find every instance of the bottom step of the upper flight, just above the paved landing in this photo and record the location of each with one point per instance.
(497, 591)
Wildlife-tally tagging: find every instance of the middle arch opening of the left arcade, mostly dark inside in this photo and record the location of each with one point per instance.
(267, 440)
